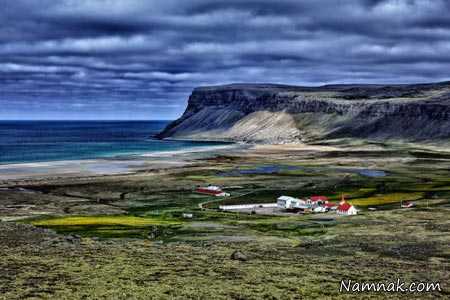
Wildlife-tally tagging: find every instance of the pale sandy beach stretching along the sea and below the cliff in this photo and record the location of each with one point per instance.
(129, 164)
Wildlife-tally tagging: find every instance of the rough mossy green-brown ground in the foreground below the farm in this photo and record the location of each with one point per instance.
(378, 247)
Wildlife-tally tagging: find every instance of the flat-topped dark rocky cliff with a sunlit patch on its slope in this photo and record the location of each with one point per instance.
(280, 114)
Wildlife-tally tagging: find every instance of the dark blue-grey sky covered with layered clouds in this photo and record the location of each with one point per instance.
(139, 60)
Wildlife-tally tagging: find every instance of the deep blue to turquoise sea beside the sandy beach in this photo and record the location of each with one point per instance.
(37, 141)
